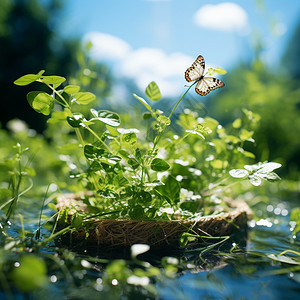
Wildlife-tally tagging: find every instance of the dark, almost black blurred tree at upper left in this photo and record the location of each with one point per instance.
(28, 43)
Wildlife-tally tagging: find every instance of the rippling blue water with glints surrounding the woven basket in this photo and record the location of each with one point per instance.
(248, 274)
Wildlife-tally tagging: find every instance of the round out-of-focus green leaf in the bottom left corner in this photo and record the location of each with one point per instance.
(31, 274)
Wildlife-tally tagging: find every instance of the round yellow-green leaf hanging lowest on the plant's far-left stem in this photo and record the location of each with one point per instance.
(41, 102)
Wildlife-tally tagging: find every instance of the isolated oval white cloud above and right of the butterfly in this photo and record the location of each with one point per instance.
(226, 16)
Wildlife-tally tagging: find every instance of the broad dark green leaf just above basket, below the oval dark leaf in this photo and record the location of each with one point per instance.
(170, 191)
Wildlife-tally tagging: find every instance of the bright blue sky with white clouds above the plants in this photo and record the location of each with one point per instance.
(158, 39)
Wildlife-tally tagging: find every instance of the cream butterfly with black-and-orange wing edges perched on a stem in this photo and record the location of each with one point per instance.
(204, 84)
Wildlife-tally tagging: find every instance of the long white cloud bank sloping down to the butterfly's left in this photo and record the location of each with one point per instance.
(142, 65)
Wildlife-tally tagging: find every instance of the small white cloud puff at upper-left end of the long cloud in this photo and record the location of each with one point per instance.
(106, 46)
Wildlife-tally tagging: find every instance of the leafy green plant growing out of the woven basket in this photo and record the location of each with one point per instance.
(174, 173)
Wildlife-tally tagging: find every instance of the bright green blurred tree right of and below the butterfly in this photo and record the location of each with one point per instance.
(273, 97)
